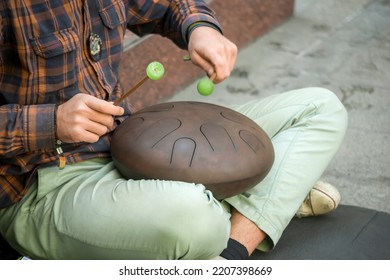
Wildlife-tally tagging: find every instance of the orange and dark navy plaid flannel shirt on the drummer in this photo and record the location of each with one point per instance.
(45, 60)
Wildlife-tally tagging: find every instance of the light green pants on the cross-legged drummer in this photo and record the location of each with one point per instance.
(87, 211)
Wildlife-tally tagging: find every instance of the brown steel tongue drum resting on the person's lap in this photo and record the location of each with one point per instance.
(193, 142)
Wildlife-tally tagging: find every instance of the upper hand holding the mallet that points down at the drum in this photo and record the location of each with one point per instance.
(212, 52)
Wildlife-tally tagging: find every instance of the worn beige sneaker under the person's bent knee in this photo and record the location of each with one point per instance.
(323, 198)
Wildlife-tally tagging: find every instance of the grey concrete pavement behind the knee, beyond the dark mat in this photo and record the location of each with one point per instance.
(340, 45)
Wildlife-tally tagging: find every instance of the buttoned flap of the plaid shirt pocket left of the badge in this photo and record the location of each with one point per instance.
(56, 43)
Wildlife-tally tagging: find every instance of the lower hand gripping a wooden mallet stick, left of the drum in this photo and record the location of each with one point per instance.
(85, 118)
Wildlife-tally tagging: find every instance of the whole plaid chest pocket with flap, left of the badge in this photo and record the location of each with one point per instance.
(56, 59)
